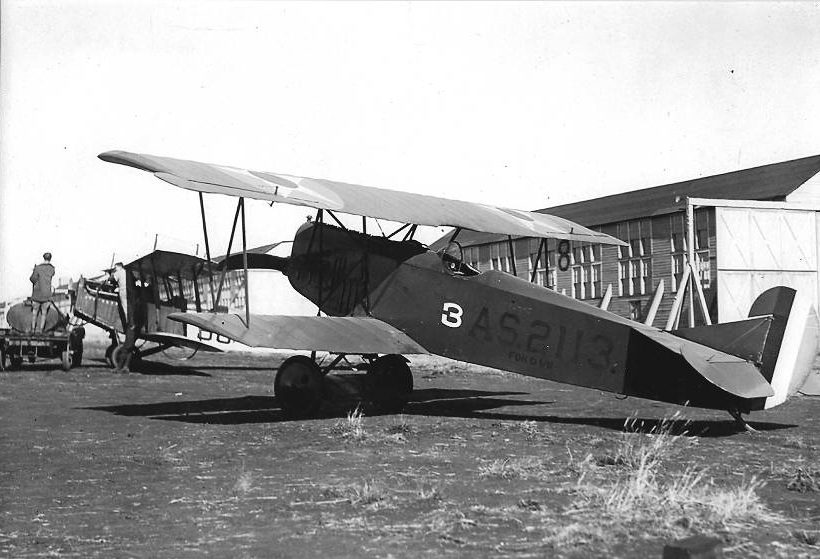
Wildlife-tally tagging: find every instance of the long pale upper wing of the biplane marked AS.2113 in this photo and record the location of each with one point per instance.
(355, 199)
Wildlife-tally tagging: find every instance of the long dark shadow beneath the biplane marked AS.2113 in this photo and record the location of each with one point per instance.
(436, 402)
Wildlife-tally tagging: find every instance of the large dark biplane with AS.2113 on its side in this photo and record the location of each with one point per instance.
(385, 296)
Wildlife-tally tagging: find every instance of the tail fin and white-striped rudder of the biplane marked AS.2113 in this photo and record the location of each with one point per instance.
(780, 338)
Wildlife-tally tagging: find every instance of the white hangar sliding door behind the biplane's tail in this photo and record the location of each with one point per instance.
(760, 248)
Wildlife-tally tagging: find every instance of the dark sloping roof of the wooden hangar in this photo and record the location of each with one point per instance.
(773, 182)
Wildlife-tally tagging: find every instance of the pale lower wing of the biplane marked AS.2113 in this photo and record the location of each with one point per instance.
(338, 334)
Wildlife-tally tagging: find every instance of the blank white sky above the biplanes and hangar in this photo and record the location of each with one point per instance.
(521, 105)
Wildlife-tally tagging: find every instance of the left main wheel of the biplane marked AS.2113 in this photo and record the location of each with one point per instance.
(299, 386)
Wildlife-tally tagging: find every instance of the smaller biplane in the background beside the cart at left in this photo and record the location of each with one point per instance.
(154, 286)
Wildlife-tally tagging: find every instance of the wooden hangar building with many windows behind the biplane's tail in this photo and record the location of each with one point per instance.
(750, 230)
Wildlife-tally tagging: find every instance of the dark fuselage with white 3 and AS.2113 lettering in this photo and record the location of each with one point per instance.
(491, 318)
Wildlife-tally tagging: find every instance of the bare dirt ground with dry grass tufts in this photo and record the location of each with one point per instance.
(193, 458)
